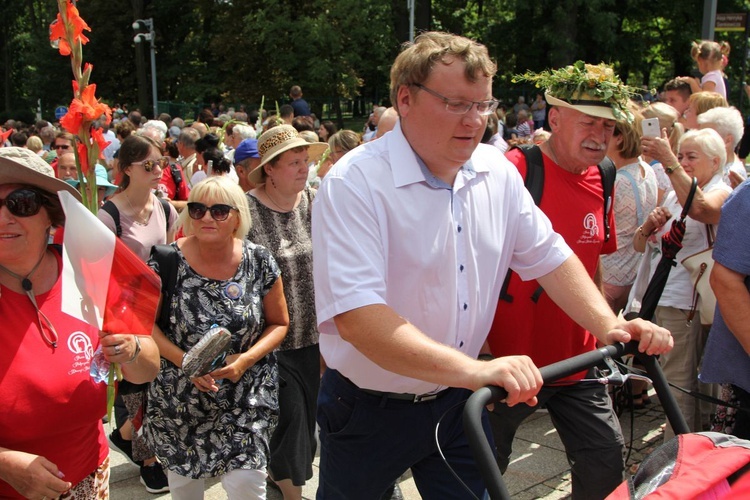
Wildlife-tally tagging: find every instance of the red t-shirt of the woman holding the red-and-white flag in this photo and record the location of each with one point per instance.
(51, 406)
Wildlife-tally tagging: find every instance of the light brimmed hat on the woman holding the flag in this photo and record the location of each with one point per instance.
(23, 166)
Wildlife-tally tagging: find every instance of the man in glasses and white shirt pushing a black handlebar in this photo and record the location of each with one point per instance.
(412, 237)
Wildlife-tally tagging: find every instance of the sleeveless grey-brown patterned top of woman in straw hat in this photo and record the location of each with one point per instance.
(289, 238)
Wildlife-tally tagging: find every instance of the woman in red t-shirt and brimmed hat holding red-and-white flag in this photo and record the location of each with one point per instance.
(52, 441)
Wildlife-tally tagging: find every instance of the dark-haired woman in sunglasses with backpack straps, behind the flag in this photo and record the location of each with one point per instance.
(143, 222)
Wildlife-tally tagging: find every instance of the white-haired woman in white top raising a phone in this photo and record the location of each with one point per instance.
(701, 154)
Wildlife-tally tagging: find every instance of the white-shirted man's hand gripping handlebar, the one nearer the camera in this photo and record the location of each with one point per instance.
(516, 374)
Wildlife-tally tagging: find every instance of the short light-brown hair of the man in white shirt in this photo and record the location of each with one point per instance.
(415, 62)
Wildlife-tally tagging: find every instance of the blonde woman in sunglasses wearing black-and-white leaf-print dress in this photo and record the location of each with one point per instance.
(219, 424)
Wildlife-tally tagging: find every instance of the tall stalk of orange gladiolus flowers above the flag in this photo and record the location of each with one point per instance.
(66, 33)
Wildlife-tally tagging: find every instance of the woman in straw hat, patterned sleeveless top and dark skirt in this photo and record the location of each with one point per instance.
(281, 209)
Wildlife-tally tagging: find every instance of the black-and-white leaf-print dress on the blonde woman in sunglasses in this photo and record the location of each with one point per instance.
(197, 434)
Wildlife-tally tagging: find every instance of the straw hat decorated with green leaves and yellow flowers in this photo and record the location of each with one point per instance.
(594, 90)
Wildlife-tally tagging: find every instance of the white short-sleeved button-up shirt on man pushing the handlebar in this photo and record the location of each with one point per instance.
(385, 231)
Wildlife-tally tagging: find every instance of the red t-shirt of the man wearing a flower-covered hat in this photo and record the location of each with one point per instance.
(575, 206)
